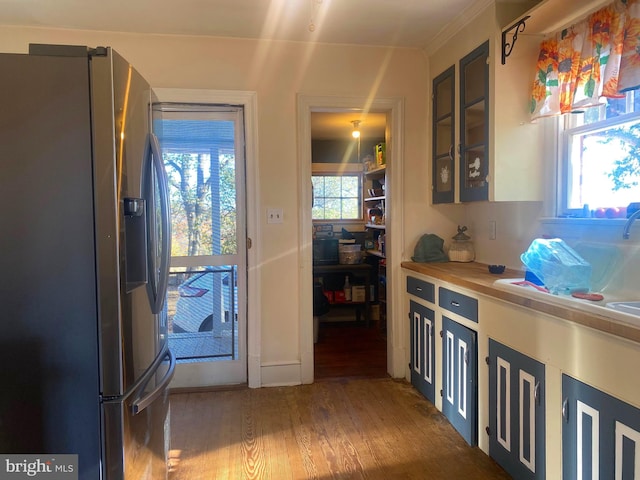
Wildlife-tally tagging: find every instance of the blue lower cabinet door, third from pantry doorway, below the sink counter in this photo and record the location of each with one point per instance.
(516, 412)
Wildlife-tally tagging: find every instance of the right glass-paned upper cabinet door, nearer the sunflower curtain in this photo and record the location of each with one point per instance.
(474, 124)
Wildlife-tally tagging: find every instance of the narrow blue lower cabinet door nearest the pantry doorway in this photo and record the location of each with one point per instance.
(422, 349)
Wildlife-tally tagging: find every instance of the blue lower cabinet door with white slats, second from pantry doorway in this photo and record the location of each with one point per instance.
(460, 378)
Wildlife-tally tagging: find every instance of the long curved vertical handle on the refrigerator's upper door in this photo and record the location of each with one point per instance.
(165, 253)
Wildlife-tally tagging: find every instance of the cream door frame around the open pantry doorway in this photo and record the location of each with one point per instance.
(394, 108)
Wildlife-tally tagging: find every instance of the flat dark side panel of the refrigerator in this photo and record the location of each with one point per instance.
(49, 385)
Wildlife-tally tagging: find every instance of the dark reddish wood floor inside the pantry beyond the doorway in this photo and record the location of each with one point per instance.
(349, 350)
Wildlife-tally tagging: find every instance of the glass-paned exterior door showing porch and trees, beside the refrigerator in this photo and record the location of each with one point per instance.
(202, 148)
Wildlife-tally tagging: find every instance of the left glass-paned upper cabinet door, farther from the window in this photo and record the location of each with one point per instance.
(443, 136)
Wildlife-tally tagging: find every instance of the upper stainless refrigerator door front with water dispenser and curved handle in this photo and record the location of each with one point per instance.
(131, 224)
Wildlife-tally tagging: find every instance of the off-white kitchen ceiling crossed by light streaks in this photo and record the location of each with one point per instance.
(399, 23)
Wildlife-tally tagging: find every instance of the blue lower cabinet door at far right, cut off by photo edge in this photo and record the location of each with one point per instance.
(600, 434)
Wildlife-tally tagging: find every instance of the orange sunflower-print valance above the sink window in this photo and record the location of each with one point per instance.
(597, 57)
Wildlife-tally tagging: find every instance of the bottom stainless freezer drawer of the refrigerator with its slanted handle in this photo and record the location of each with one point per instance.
(142, 421)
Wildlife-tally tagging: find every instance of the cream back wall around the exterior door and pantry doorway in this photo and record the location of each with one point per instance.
(278, 72)
